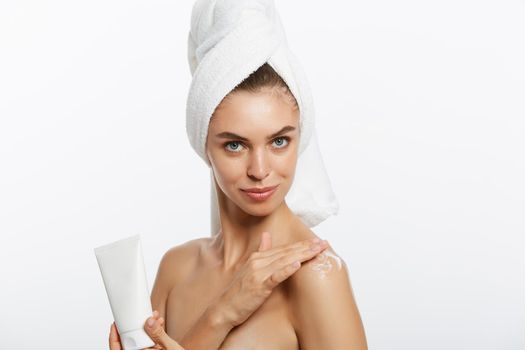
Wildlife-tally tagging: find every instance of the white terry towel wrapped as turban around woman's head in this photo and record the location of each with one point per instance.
(229, 40)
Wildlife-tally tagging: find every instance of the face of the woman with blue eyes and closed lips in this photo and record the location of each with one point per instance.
(253, 142)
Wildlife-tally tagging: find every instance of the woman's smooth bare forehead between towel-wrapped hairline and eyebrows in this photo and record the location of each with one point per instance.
(245, 111)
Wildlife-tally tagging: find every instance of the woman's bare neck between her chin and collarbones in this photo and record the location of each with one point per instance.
(240, 233)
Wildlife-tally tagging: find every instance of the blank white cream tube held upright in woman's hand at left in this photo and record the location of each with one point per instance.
(121, 264)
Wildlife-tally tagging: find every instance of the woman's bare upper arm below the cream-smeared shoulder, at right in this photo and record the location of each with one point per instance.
(325, 314)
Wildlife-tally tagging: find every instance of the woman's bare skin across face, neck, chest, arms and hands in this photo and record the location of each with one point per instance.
(237, 289)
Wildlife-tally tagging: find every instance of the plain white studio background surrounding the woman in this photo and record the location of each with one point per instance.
(420, 115)
